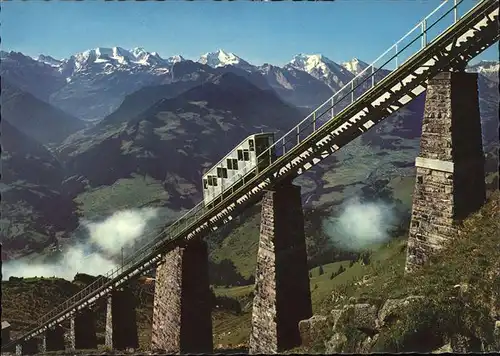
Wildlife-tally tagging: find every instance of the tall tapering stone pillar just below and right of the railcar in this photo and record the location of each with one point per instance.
(282, 294)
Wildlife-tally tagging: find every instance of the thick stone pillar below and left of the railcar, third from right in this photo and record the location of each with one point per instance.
(182, 321)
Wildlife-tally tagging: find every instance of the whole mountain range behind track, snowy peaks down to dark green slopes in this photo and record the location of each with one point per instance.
(109, 129)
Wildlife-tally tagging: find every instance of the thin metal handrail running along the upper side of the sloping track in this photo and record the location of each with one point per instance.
(187, 219)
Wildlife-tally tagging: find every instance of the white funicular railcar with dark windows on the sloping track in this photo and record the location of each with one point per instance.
(237, 167)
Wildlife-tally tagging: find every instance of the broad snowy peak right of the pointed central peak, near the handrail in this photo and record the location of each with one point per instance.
(322, 68)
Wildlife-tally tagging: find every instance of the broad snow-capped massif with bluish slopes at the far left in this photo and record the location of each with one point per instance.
(89, 84)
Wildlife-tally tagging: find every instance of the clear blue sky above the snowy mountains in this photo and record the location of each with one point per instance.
(271, 32)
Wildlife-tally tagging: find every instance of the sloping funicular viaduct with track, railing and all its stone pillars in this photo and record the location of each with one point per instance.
(449, 185)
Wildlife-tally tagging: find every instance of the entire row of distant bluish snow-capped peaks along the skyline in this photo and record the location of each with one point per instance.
(92, 84)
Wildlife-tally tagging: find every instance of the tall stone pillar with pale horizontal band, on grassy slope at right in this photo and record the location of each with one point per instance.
(450, 180)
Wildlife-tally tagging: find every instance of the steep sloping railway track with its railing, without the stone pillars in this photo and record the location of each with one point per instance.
(442, 41)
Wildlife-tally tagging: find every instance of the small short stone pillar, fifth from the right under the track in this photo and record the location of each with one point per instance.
(83, 330)
